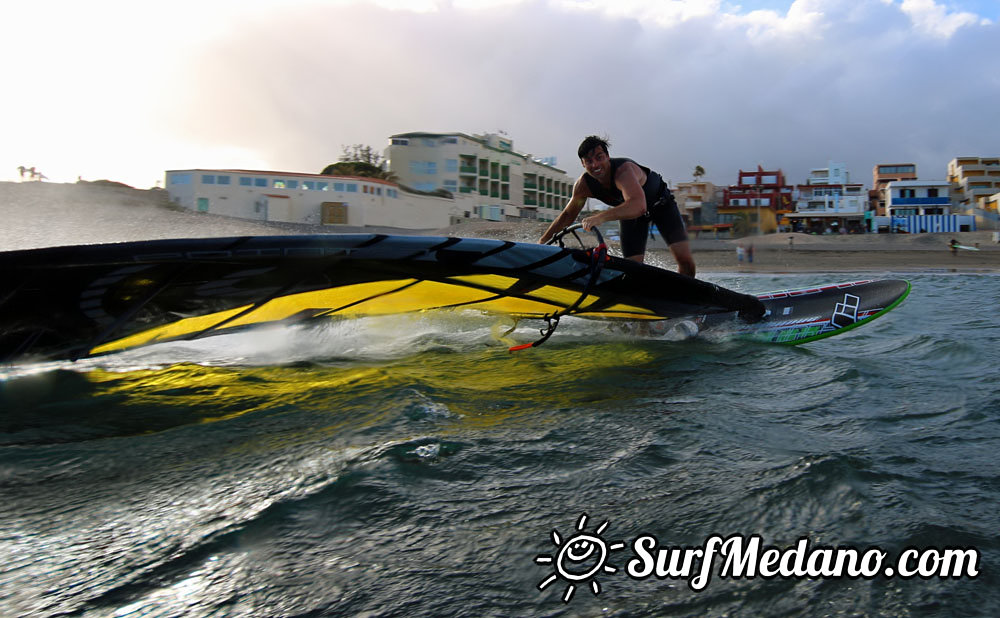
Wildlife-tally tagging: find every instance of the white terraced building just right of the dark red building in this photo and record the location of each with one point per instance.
(829, 202)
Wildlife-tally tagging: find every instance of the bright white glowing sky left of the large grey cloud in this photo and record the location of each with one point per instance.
(87, 83)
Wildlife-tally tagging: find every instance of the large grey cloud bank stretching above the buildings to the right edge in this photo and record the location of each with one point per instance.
(853, 82)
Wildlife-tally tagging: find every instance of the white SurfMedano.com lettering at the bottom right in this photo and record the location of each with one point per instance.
(739, 557)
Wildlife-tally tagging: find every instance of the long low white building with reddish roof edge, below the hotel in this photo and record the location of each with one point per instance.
(347, 202)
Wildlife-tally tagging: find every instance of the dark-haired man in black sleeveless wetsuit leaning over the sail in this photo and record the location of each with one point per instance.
(636, 194)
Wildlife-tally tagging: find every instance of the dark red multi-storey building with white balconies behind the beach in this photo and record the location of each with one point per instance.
(755, 204)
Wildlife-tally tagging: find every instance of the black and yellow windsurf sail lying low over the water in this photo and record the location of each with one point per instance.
(79, 301)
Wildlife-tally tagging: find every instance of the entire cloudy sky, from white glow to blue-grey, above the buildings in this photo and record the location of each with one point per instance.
(125, 90)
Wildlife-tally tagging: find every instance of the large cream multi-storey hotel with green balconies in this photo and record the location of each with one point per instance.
(499, 183)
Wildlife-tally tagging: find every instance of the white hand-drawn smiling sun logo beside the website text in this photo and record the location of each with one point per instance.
(579, 559)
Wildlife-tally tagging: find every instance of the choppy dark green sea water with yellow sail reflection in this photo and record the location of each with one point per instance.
(412, 466)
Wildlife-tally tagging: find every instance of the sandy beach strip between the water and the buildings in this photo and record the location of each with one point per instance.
(39, 214)
